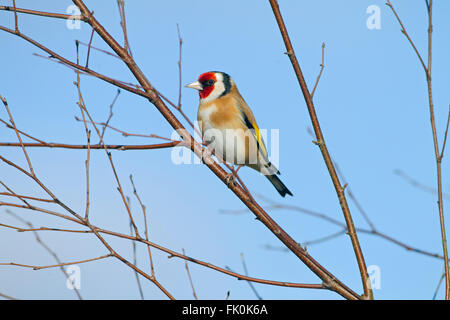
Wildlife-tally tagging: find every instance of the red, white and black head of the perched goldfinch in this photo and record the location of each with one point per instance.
(212, 85)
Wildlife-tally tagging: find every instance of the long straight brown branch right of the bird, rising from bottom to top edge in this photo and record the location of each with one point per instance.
(320, 141)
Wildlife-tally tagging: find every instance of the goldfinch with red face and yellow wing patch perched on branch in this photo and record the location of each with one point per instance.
(228, 126)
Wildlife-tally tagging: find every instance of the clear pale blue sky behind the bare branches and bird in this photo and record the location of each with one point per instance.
(371, 103)
